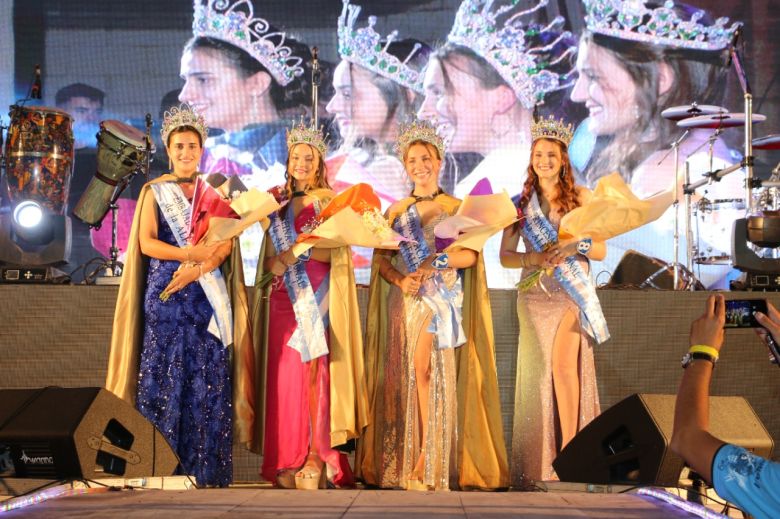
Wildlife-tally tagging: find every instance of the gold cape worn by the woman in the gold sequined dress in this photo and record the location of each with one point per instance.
(482, 458)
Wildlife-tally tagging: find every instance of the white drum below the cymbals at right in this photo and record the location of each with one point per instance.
(714, 227)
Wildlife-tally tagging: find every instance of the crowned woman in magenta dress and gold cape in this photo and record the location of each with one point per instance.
(312, 404)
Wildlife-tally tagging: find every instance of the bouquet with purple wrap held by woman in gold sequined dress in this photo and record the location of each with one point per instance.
(481, 214)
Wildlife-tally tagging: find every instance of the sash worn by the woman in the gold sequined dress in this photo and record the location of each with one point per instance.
(445, 303)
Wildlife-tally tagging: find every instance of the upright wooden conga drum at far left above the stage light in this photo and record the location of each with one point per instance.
(39, 156)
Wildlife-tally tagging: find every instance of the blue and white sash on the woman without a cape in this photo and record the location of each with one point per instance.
(570, 274)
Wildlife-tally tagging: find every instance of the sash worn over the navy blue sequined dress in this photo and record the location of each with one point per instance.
(177, 211)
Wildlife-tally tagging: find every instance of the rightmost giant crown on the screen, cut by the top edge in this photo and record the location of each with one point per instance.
(633, 20)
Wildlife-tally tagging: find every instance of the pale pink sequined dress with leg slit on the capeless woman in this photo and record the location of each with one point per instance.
(535, 433)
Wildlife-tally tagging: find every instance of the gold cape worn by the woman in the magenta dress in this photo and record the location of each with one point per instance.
(348, 402)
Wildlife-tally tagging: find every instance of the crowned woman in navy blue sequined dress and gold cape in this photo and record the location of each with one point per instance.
(174, 320)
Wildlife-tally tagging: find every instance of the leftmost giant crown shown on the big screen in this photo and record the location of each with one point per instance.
(234, 22)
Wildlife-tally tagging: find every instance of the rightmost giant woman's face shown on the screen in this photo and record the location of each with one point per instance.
(606, 88)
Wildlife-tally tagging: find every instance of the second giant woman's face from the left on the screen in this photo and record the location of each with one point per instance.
(358, 107)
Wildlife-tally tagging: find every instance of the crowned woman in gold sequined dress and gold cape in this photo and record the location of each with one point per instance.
(434, 418)
